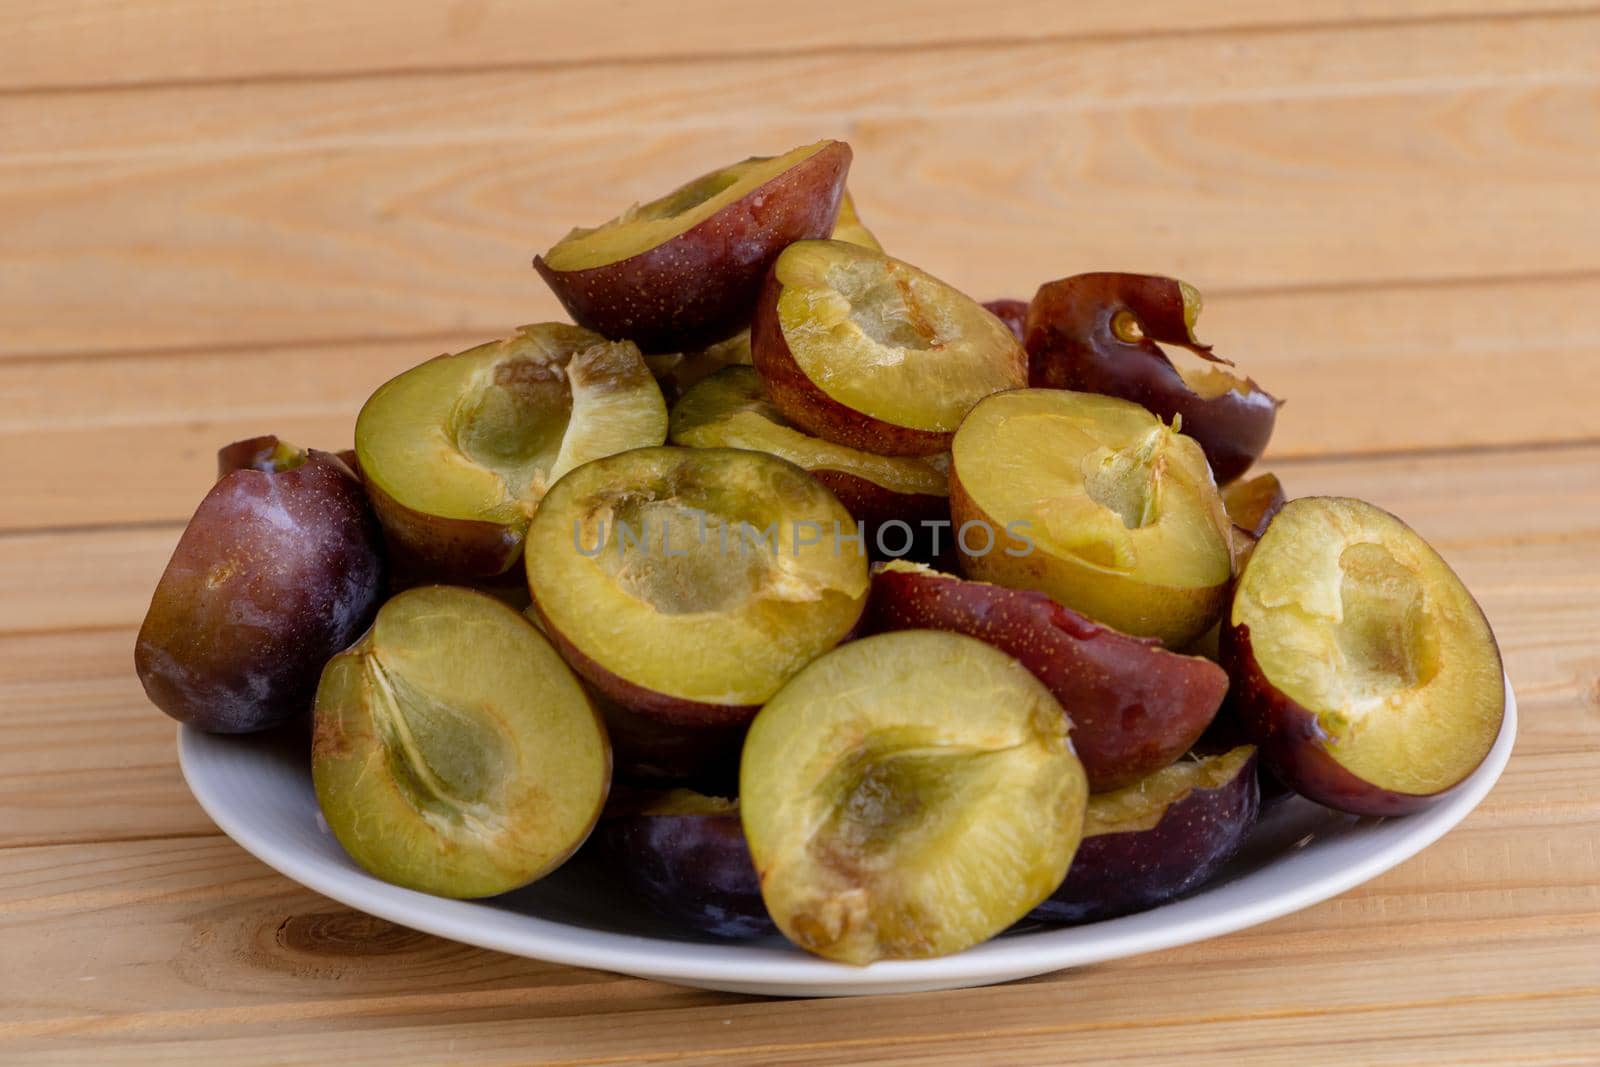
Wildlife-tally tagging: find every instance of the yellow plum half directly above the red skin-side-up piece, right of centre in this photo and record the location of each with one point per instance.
(1097, 503)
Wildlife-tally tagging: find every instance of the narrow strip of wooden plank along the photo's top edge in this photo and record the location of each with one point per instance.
(103, 42)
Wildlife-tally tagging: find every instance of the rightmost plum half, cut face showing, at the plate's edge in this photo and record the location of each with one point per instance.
(1362, 666)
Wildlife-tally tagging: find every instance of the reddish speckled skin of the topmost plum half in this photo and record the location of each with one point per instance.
(702, 286)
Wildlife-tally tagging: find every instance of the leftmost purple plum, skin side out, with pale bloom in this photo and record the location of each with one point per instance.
(276, 573)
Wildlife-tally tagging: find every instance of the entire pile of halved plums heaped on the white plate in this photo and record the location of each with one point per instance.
(818, 597)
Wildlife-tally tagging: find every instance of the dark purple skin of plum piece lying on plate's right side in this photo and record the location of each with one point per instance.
(1121, 874)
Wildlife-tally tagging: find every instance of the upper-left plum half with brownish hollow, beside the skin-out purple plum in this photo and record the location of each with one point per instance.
(458, 452)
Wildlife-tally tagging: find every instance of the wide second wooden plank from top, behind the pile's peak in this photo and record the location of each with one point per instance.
(401, 207)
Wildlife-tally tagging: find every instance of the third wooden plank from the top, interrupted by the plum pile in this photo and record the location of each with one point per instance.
(1362, 372)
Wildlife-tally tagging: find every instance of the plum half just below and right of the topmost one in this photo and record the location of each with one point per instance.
(871, 353)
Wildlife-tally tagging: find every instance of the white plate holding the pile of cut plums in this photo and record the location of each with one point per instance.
(258, 791)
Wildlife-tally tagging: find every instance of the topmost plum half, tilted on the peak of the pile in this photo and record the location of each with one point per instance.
(682, 273)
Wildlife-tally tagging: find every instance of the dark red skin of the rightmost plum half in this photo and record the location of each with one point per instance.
(1295, 746)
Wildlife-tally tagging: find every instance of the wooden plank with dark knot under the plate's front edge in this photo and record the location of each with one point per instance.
(198, 945)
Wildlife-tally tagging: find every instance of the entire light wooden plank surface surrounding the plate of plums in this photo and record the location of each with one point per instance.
(234, 218)
